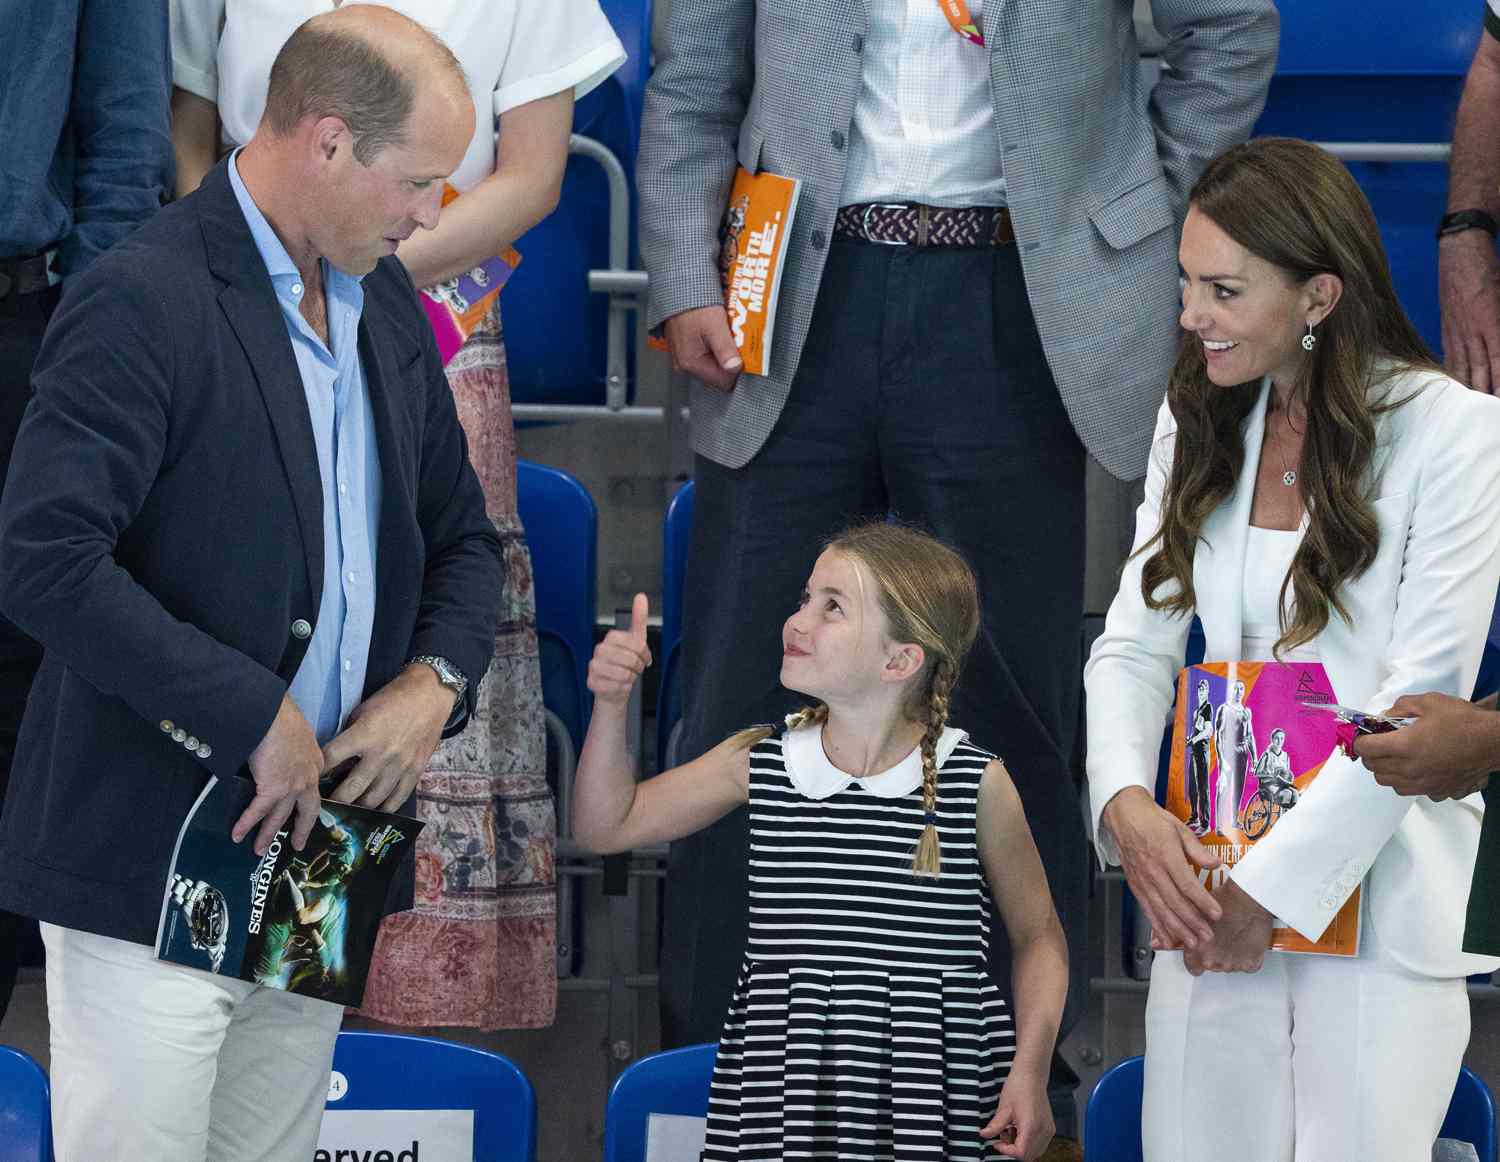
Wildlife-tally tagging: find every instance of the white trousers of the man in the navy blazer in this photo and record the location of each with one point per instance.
(154, 1062)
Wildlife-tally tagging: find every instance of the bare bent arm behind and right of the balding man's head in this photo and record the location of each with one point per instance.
(521, 193)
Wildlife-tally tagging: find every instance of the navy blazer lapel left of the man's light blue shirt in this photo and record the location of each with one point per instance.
(250, 305)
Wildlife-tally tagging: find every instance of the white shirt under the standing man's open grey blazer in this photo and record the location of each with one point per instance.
(925, 121)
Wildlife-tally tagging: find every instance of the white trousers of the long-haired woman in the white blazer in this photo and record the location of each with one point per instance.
(1313, 1059)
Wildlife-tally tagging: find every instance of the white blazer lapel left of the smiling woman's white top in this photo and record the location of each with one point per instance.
(1219, 563)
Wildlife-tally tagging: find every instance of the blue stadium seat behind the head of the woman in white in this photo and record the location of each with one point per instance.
(1348, 73)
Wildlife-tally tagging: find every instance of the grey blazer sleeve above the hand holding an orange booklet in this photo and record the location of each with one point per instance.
(695, 106)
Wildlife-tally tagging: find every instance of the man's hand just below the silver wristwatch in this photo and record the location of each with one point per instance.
(392, 735)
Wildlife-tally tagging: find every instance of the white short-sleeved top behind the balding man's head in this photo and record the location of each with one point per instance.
(512, 50)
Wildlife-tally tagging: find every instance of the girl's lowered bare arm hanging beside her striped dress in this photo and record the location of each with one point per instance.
(1039, 962)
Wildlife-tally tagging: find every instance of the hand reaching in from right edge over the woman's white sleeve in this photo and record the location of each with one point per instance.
(1447, 753)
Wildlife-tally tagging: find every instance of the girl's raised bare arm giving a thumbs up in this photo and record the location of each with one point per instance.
(613, 812)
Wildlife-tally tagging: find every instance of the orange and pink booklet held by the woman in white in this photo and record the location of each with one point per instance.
(1247, 741)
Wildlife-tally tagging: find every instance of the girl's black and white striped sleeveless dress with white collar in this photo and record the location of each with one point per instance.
(865, 1025)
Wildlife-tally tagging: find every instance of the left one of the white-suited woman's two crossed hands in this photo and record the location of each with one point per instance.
(1156, 852)
